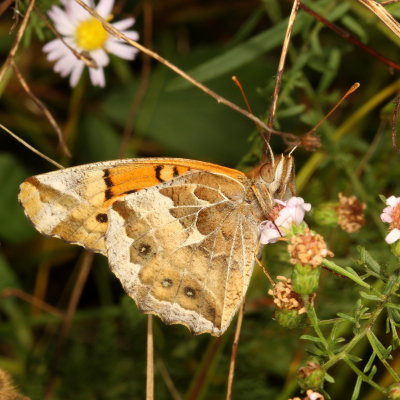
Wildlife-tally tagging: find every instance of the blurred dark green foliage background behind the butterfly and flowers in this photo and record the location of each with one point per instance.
(104, 353)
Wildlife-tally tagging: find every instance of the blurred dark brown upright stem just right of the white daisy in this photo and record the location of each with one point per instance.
(144, 76)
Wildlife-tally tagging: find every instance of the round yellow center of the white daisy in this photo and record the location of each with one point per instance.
(90, 35)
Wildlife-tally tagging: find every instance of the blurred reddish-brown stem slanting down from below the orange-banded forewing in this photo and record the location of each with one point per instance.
(75, 296)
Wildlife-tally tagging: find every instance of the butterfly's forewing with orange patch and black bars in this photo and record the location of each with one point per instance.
(72, 204)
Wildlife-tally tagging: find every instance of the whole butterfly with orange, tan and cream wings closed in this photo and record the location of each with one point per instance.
(179, 234)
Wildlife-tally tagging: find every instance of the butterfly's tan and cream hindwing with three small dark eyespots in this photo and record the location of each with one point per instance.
(183, 250)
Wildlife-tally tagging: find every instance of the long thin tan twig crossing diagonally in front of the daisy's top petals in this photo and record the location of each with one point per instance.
(115, 32)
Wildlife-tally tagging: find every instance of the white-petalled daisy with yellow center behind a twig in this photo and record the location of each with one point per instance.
(86, 34)
